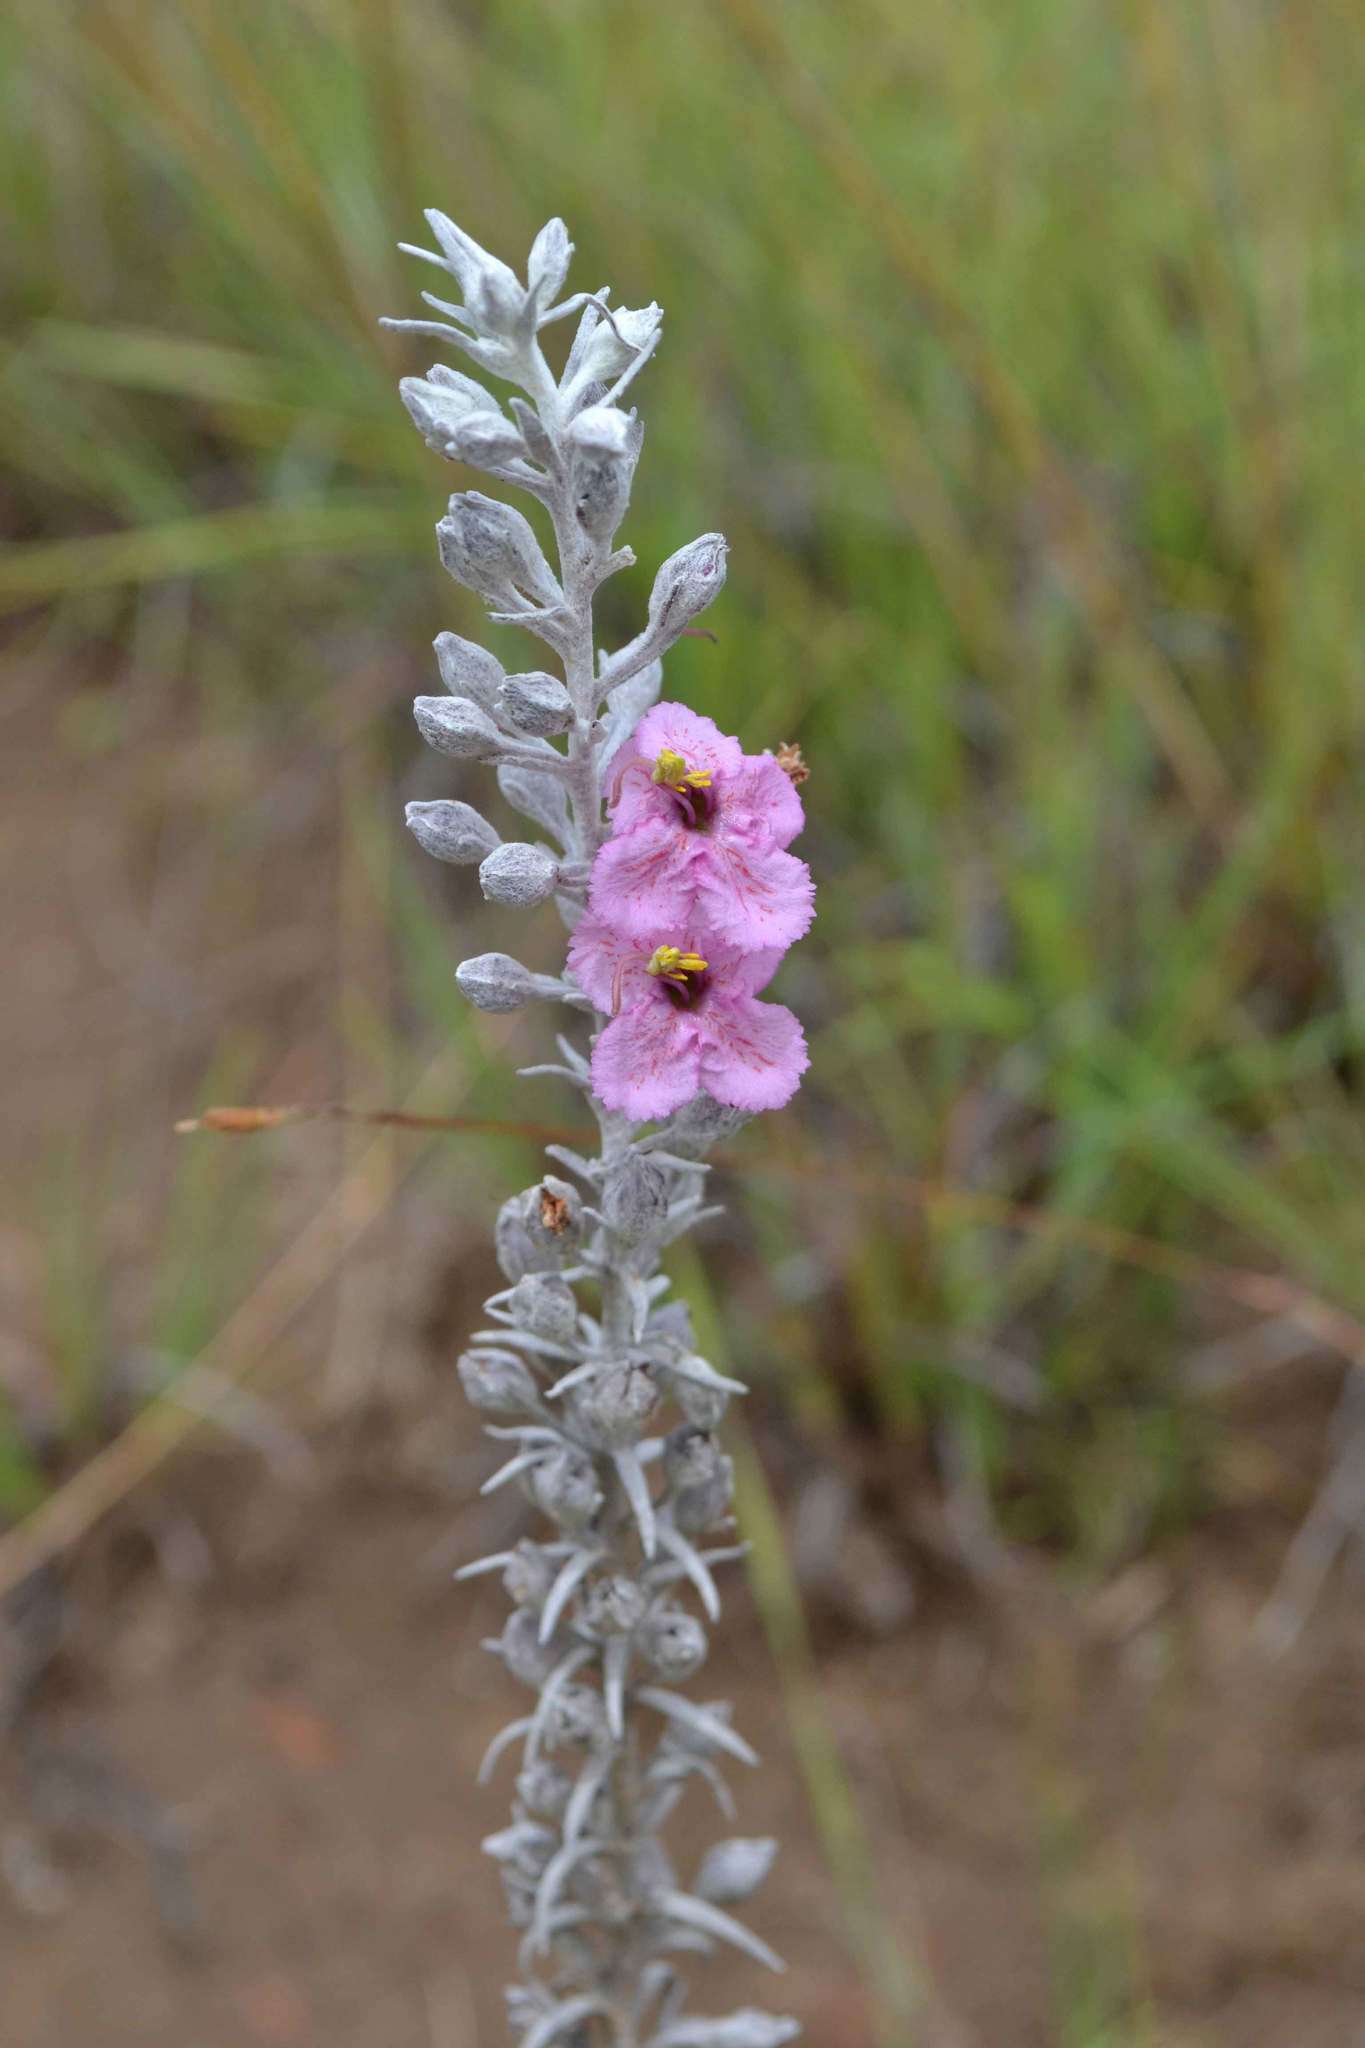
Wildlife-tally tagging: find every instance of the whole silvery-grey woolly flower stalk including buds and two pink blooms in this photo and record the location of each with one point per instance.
(668, 859)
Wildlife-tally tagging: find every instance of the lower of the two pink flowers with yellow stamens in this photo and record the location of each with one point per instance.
(685, 1021)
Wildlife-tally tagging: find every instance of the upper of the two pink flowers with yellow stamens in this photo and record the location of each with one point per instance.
(699, 835)
